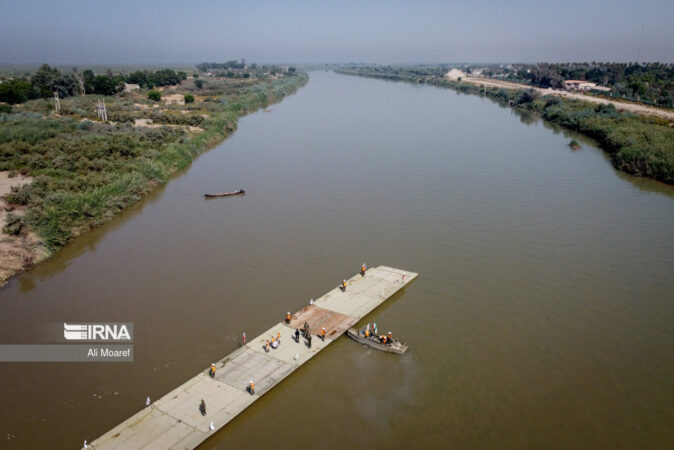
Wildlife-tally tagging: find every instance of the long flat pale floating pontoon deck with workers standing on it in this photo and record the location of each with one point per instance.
(174, 421)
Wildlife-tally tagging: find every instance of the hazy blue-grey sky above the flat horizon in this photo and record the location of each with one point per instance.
(120, 31)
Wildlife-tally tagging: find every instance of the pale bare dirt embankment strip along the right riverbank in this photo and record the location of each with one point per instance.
(636, 108)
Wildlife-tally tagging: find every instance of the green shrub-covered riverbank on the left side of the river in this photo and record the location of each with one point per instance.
(85, 171)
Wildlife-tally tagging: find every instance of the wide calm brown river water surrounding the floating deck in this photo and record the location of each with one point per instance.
(543, 316)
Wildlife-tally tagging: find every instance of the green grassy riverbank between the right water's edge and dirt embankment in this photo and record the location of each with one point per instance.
(642, 146)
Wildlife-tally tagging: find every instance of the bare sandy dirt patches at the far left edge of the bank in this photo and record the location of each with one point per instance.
(17, 253)
